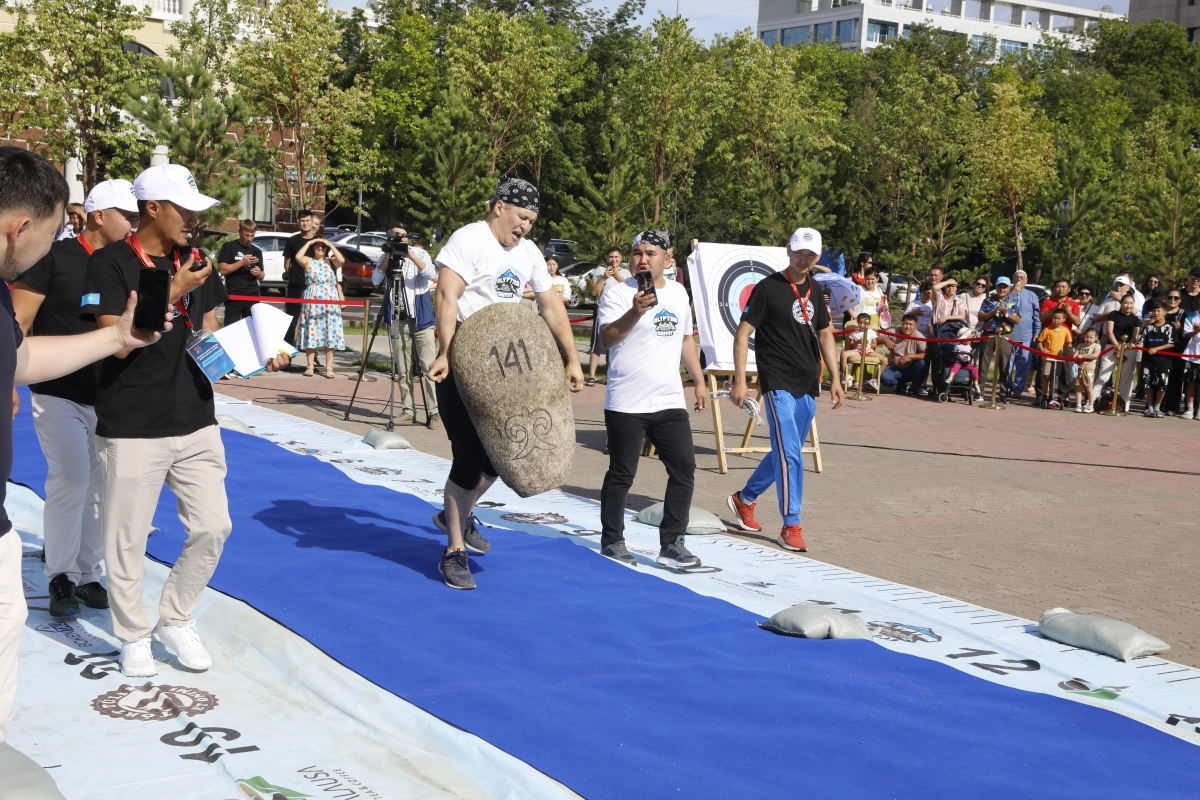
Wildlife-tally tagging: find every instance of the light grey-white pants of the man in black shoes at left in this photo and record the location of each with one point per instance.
(75, 543)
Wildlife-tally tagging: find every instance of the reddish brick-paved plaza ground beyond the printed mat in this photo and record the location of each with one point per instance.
(1018, 510)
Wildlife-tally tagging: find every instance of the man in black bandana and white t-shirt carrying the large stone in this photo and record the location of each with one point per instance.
(484, 263)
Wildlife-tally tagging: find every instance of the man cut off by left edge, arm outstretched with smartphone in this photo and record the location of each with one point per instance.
(33, 194)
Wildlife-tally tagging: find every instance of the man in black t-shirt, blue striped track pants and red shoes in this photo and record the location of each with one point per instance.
(790, 322)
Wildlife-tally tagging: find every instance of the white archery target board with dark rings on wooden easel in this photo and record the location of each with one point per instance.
(728, 275)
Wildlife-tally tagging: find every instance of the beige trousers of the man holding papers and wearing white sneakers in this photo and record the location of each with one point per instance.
(135, 470)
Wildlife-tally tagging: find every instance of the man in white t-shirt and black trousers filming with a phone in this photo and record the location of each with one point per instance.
(647, 336)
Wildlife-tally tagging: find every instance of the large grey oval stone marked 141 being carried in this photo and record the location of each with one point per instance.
(511, 376)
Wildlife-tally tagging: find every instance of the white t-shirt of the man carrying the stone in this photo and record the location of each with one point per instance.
(493, 274)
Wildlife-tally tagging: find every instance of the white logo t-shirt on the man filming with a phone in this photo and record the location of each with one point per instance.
(644, 370)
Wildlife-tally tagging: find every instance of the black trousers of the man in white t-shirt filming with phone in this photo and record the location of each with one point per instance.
(670, 432)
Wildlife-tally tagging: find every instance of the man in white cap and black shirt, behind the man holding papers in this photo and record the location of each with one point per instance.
(46, 299)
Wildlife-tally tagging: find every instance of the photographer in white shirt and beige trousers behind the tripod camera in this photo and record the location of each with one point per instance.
(415, 321)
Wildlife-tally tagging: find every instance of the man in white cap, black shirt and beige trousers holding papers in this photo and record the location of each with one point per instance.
(157, 424)
